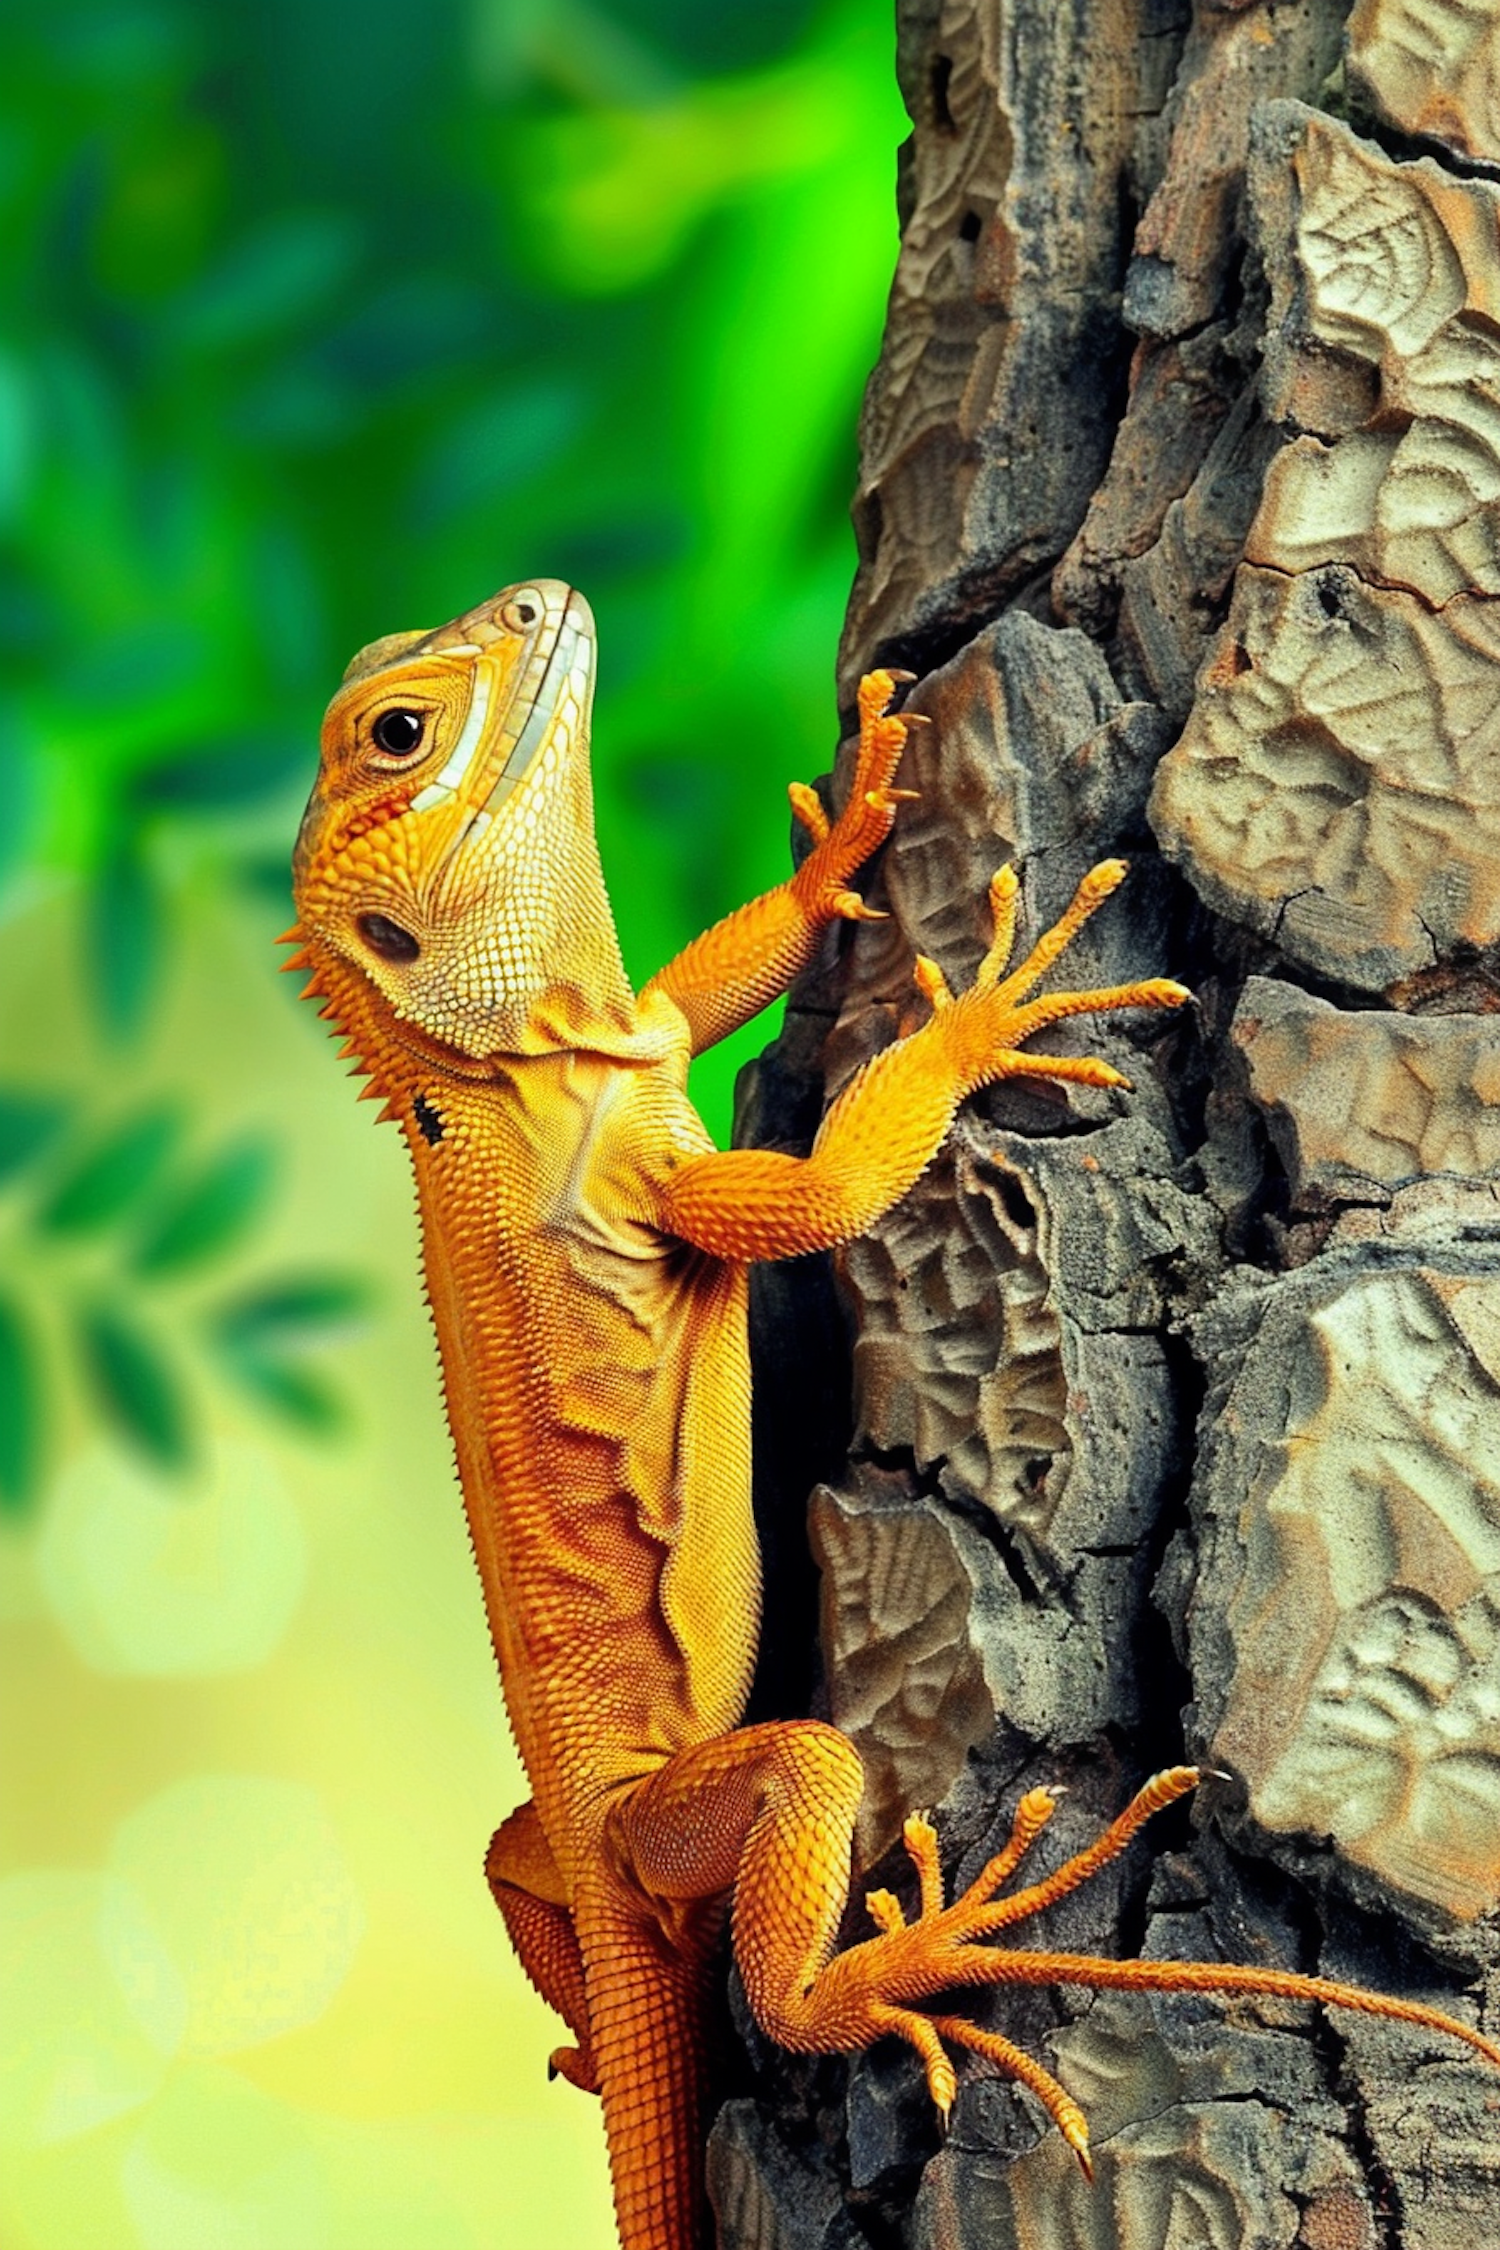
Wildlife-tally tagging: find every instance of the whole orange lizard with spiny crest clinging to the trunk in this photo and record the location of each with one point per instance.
(586, 1254)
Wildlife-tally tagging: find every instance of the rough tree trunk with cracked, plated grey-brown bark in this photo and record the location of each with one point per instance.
(1177, 1414)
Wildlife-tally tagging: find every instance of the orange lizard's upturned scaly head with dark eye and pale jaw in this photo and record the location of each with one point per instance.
(446, 872)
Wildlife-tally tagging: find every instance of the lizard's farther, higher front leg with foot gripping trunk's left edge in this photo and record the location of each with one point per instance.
(748, 960)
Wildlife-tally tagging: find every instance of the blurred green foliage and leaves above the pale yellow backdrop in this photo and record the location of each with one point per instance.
(327, 321)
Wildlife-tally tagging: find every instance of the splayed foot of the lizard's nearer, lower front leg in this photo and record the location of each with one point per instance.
(993, 1018)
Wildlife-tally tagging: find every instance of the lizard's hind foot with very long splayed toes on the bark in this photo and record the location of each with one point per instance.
(939, 1950)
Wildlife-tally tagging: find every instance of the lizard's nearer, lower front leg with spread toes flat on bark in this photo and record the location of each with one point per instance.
(892, 1119)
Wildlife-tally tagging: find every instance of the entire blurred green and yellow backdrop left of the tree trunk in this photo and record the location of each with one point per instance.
(327, 321)
